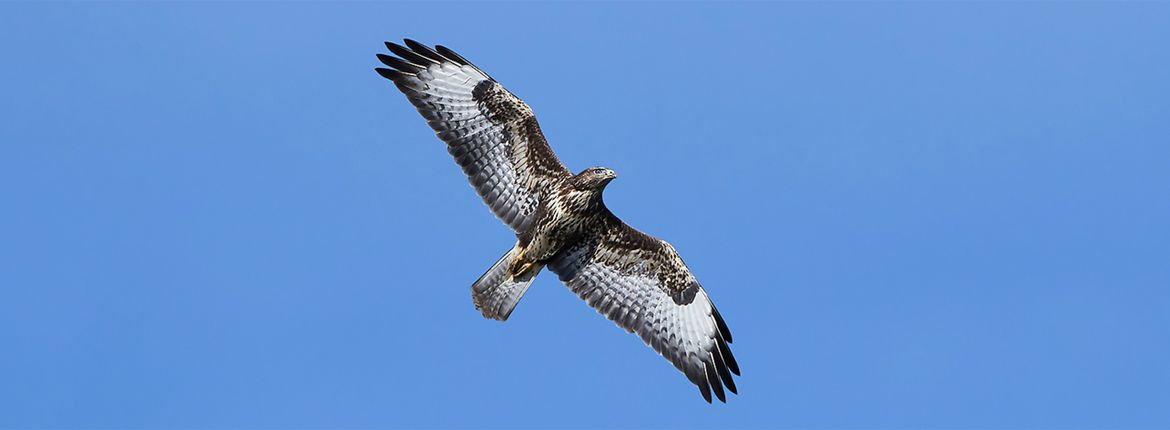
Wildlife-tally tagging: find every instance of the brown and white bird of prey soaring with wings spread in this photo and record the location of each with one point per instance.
(561, 221)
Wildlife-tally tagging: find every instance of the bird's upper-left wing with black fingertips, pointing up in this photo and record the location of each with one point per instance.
(492, 134)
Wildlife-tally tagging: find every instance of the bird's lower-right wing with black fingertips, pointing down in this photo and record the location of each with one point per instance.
(641, 283)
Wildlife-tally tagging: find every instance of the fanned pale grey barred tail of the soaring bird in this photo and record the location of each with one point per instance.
(498, 293)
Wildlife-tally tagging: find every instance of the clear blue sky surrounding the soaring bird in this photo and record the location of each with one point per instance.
(912, 216)
